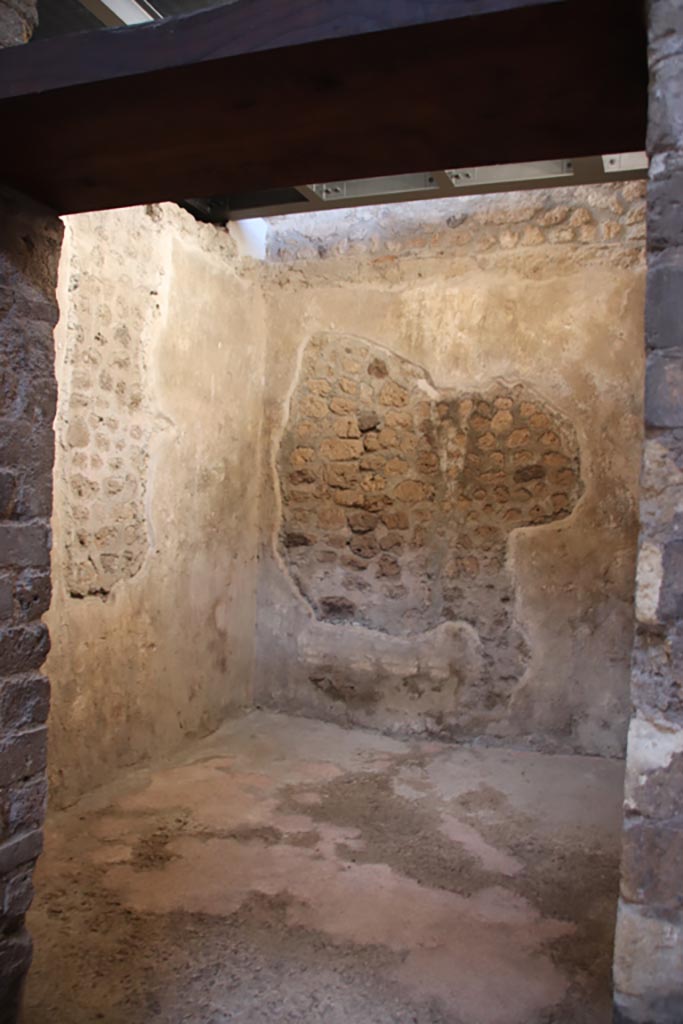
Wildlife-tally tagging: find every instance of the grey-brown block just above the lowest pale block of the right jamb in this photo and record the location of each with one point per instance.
(652, 864)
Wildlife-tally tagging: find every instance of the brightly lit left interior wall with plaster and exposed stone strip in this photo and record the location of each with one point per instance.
(160, 366)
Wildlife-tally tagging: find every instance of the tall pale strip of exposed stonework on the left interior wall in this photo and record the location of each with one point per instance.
(105, 425)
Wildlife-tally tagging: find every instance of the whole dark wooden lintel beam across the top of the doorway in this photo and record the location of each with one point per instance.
(268, 94)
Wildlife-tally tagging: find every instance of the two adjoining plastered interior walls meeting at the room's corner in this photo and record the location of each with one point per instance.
(386, 477)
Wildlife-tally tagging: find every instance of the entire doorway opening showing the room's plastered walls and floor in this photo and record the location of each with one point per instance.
(346, 523)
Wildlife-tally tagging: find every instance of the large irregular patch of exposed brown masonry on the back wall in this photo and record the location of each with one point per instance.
(398, 502)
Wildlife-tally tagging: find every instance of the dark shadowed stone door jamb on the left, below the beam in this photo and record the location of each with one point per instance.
(29, 251)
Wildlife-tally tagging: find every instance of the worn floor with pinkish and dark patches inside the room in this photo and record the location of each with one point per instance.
(288, 871)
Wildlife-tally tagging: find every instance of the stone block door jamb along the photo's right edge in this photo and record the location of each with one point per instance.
(650, 944)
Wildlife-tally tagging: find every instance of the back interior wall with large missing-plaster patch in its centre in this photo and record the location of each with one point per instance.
(451, 510)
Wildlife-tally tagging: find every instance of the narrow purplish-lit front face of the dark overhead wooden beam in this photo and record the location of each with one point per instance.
(246, 27)
